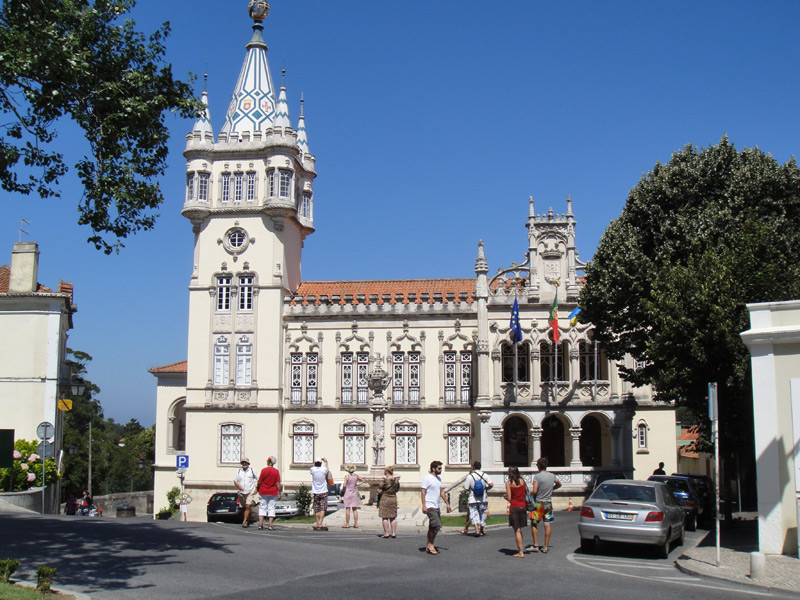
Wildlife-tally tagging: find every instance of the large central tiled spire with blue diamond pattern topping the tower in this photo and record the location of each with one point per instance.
(253, 106)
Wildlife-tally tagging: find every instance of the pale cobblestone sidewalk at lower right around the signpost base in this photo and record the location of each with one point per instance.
(737, 543)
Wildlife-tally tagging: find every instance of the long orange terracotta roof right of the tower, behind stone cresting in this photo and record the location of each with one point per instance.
(393, 291)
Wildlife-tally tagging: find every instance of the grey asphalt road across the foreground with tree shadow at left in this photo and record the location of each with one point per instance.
(140, 558)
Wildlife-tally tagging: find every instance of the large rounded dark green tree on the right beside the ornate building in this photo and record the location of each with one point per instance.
(699, 238)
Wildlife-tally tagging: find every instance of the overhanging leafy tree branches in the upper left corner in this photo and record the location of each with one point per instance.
(81, 60)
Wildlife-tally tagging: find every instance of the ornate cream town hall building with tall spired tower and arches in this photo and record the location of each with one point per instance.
(280, 366)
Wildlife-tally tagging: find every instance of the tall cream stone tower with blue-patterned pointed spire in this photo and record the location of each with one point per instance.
(249, 198)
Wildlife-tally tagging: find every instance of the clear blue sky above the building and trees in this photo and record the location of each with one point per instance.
(432, 123)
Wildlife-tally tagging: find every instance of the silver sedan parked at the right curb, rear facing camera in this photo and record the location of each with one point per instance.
(639, 512)
